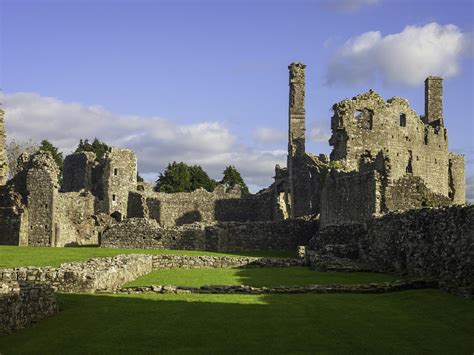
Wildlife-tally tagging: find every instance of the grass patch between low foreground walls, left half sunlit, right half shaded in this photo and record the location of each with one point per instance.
(255, 277)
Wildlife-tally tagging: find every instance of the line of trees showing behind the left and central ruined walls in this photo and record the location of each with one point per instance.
(177, 177)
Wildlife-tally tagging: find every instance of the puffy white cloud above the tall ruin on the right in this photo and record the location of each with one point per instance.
(404, 58)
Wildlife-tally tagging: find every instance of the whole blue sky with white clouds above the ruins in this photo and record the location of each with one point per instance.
(206, 81)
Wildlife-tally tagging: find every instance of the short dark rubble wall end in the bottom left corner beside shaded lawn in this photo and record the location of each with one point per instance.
(22, 304)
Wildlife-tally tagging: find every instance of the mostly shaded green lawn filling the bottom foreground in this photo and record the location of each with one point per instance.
(413, 322)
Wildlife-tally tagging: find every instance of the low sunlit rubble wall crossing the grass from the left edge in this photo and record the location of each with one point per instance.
(97, 274)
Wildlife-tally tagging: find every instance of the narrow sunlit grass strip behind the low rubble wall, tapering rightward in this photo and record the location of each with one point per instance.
(14, 256)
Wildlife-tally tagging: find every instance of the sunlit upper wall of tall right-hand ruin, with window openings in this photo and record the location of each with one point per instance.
(367, 125)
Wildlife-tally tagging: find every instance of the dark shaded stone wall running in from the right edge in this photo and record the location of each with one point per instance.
(435, 243)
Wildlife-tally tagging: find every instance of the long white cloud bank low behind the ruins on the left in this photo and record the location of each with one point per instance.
(156, 140)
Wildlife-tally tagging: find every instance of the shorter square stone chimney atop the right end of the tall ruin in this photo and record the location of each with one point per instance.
(434, 101)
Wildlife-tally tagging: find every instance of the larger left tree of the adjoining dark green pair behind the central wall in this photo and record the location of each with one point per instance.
(176, 178)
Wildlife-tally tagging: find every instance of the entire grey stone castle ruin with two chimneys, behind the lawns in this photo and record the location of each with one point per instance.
(385, 158)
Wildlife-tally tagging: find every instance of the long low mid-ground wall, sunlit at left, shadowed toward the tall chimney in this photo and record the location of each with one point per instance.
(222, 236)
